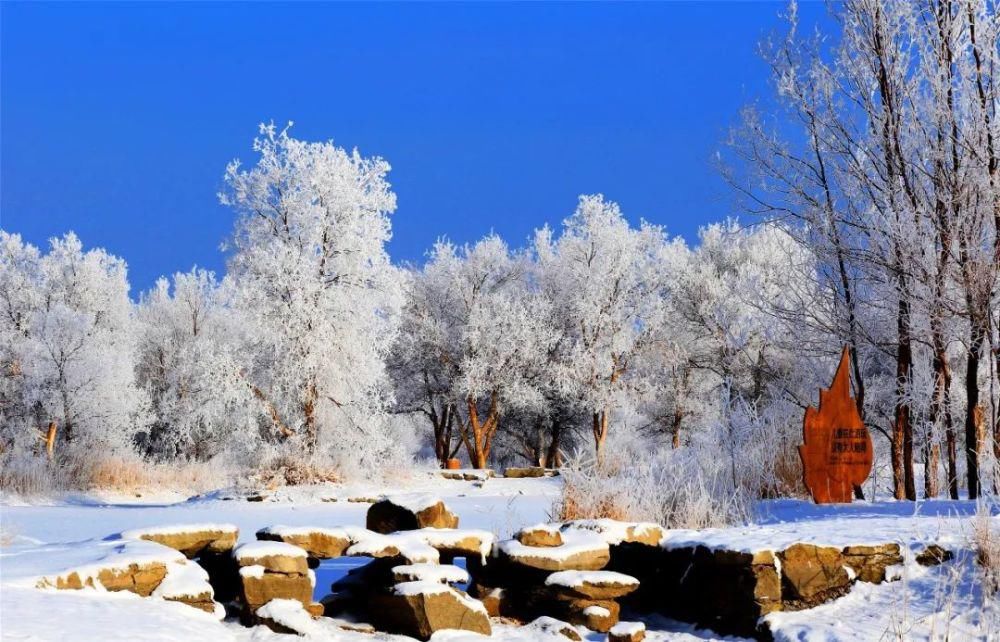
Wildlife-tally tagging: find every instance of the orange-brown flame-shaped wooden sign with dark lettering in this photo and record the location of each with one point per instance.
(837, 453)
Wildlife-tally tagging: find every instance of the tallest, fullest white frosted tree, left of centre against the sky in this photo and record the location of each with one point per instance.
(318, 295)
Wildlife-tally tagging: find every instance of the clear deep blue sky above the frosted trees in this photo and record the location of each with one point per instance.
(117, 120)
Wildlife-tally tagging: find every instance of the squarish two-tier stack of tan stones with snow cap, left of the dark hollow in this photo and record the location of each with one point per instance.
(274, 570)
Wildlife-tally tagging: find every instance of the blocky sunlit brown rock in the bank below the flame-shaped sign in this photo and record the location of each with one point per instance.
(812, 574)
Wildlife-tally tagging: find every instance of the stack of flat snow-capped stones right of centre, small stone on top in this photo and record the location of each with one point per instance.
(541, 573)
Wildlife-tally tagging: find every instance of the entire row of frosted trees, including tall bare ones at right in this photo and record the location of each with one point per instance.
(868, 190)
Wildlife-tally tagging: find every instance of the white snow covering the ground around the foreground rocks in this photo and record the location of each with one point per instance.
(926, 603)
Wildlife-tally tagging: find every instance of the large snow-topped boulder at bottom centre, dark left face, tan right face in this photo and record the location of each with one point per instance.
(418, 609)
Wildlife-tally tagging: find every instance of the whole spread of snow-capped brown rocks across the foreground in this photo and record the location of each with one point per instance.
(554, 577)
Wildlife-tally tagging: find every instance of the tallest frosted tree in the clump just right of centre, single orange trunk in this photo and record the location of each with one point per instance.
(606, 282)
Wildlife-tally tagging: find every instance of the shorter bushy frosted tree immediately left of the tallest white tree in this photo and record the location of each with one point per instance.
(191, 352)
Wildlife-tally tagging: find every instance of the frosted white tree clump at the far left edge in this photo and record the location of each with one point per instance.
(69, 348)
